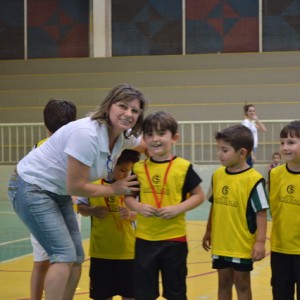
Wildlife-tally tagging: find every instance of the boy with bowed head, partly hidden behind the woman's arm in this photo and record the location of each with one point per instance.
(112, 237)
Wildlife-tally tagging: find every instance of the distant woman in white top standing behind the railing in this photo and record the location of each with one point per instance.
(254, 124)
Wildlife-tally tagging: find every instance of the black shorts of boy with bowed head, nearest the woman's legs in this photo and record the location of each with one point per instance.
(111, 277)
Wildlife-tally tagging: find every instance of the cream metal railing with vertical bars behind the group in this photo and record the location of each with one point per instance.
(196, 140)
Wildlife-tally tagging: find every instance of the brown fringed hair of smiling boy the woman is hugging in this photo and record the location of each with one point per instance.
(160, 121)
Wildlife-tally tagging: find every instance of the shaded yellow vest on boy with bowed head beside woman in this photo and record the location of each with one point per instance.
(111, 237)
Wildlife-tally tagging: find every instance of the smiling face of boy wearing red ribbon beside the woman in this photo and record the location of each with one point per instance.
(159, 143)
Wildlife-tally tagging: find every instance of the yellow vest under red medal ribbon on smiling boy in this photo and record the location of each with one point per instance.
(155, 228)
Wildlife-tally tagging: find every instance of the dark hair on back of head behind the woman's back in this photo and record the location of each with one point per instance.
(59, 112)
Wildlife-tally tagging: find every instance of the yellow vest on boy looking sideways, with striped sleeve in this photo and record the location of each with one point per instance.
(230, 233)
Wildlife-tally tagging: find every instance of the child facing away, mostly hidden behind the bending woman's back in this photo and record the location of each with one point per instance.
(56, 113)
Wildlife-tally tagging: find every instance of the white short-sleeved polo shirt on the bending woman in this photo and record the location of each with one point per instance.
(85, 140)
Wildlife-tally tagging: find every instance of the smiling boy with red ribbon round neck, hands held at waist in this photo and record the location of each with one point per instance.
(168, 188)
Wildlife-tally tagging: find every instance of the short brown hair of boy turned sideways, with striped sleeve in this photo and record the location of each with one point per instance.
(237, 136)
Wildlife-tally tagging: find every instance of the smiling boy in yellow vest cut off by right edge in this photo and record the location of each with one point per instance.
(284, 186)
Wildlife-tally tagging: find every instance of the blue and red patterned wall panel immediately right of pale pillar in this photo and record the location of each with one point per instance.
(146, 27)
